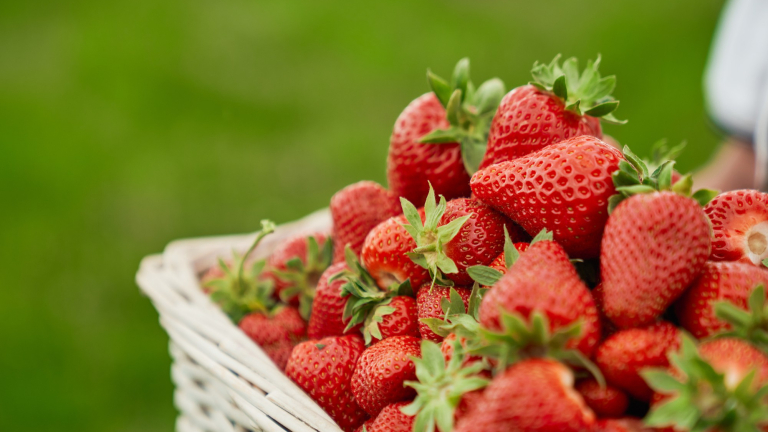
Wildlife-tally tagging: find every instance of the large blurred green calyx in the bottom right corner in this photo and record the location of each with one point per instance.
(703, 399)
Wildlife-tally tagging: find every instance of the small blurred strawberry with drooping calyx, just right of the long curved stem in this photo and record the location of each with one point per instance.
(296, 266)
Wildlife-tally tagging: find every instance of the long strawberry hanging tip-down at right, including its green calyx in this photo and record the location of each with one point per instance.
(655, 243)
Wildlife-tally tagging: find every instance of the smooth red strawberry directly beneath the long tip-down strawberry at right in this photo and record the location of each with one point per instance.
(622, 356)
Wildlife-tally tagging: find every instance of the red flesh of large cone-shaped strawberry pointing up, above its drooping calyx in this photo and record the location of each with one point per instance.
(538, 282)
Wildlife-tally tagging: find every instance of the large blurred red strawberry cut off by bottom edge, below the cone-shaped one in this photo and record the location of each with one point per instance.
(534, 395)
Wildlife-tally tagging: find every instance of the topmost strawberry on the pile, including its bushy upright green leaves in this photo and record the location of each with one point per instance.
(558, 105)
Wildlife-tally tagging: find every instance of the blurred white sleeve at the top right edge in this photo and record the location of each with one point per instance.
(736, 79)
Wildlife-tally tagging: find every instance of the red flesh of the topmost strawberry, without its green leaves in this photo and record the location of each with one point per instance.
(529, 119)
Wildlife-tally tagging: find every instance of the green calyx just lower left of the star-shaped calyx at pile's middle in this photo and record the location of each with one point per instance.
(367, 303)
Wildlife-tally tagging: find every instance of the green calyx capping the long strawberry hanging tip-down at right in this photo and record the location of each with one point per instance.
(634, 177)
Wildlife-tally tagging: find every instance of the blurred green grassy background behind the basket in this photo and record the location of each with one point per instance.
(127, 124)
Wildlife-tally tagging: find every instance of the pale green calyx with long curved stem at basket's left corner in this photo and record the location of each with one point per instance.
(242, 290)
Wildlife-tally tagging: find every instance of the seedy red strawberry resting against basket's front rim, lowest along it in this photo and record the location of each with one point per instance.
(323, 368)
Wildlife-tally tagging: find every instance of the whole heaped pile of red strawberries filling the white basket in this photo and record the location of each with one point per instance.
(519, 274)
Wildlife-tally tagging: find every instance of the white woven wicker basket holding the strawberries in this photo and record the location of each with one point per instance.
(224, 381)
